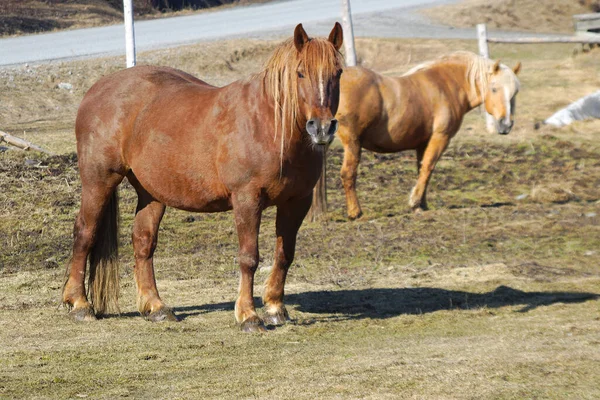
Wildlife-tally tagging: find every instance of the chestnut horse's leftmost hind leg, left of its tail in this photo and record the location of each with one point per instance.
(94, 198)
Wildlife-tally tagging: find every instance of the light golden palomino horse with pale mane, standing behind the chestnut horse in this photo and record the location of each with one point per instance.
(420, 110)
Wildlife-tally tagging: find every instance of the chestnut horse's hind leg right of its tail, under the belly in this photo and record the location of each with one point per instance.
(148, 215)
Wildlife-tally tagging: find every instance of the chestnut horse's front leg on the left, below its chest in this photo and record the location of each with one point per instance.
(247, 210)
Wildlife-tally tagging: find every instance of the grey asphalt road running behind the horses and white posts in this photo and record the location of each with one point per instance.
(375, 18)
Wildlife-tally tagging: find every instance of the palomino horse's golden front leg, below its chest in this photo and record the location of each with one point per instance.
(430, 156)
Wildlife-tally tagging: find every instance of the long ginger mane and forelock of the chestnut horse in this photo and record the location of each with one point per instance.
(319, 60)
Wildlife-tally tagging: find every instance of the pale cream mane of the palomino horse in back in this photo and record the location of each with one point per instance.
(477, 69)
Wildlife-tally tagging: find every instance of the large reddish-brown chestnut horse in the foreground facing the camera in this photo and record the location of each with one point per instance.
(186, 144)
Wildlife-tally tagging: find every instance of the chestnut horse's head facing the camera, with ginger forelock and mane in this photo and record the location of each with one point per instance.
(304, 78)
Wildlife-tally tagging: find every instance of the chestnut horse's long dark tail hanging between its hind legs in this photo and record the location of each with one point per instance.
(103, 281)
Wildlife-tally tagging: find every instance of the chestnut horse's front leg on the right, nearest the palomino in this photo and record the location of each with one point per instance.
(289, 219)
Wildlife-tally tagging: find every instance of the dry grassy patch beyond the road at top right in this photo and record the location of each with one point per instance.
(521, 15)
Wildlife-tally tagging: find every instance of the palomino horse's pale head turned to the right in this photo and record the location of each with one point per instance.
(502, 89)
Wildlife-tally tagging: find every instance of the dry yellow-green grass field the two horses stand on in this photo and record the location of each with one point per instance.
(493, 294)
